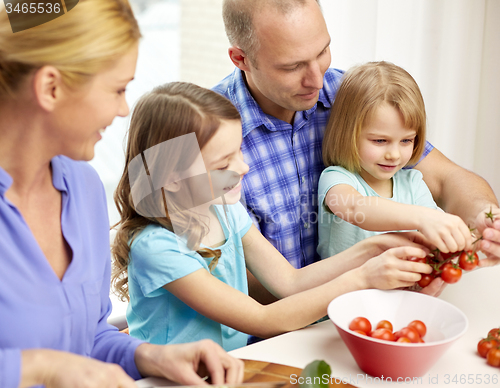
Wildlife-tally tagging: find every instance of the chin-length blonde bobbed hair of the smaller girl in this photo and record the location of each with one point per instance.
(363, 89)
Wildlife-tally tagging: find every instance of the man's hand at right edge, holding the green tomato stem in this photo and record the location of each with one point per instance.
(488, 225)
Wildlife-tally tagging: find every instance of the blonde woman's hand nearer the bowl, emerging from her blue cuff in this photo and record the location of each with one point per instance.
(184, 363)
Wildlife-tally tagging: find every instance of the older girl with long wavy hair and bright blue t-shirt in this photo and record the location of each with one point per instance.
(182, 258)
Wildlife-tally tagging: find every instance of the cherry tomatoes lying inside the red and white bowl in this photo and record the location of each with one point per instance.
(413, 332)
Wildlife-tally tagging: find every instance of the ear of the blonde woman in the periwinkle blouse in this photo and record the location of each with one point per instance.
(47, 84)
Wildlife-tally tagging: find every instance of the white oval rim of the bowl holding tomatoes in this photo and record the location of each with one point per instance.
(402, 344)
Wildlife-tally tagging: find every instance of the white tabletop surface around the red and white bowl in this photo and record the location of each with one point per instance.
(476, 295)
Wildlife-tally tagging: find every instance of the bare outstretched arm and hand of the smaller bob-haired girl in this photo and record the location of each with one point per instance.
(445, 231)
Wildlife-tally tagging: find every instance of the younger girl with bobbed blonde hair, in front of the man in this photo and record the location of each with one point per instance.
(376, 128)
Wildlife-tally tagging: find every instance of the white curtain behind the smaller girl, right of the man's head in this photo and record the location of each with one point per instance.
(451, 48)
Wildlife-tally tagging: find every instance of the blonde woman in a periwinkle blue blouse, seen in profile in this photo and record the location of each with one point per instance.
(61, 84)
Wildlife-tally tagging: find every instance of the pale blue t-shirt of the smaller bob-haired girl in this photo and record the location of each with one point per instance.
(335, 234)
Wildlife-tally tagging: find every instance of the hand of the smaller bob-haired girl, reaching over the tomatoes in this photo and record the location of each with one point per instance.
(446, 231)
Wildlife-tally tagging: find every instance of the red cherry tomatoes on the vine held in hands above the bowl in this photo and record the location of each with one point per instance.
(448, 266)
